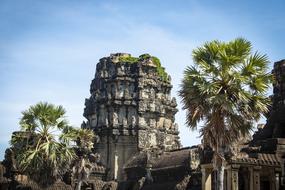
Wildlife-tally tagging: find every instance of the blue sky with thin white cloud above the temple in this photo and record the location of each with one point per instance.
(49, 49)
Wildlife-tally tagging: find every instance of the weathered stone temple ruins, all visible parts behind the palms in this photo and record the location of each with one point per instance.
(131, 110)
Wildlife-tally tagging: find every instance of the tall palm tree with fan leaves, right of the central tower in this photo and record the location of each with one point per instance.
(226, 90)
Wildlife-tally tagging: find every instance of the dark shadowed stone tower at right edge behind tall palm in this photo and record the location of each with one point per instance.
(267, 136)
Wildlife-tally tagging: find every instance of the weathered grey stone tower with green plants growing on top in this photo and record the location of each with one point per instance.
(130, 109)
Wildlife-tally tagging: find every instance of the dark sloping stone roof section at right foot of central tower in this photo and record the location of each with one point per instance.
(167, 170)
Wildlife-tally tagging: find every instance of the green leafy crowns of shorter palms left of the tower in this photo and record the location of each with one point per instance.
(47, 146)
